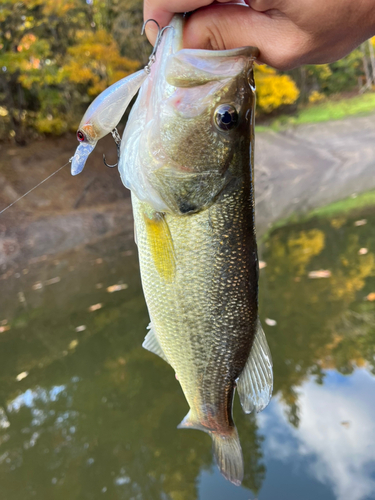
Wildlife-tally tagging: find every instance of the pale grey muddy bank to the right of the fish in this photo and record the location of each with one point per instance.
(311, 166)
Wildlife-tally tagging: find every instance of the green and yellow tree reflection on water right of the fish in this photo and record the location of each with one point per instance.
(321, 323)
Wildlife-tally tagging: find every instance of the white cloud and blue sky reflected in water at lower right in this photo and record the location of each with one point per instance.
(336, 433)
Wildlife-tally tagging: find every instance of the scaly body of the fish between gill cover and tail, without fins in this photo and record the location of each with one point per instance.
(196, 317)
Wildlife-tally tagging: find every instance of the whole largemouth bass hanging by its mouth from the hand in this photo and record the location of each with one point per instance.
(187, 155)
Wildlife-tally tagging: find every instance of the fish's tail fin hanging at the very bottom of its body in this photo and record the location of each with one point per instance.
(228, 454)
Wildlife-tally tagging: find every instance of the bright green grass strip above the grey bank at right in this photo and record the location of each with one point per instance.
(326, 111)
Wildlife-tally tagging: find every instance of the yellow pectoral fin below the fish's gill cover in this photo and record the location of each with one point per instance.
(161, 244)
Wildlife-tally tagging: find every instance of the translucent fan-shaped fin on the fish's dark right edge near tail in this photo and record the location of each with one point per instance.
(255, 383)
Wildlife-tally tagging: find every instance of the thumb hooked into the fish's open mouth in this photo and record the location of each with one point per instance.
(228, 26)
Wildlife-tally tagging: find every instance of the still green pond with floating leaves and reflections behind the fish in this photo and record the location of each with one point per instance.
(86, 413)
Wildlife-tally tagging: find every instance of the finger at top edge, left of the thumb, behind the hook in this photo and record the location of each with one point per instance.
(163, 10)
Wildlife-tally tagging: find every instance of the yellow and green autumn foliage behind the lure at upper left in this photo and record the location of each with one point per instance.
(55, 56)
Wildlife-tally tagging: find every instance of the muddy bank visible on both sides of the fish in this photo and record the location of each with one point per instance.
(296, 170)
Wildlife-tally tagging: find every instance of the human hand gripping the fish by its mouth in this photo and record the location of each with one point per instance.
(288, 33)
